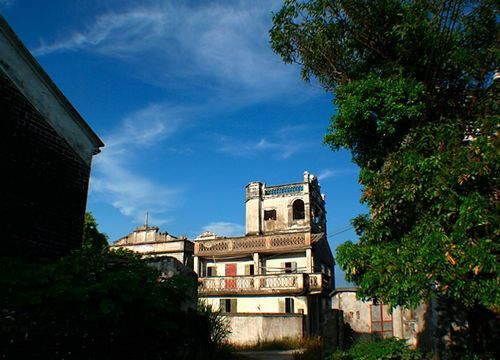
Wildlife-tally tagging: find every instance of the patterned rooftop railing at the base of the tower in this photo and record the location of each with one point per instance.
(251, 244)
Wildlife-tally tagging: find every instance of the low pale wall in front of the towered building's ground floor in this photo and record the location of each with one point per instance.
(251, 328)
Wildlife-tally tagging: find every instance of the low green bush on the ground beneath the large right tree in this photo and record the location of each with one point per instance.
(392, 349)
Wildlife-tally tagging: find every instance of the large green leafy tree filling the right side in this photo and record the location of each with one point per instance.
(418, 109)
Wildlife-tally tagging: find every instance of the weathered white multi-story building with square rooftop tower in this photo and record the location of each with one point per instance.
(274, 281)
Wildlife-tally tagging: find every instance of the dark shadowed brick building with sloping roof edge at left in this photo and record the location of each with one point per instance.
(46, 150)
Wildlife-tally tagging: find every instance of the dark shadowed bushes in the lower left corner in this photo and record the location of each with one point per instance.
(97, 306)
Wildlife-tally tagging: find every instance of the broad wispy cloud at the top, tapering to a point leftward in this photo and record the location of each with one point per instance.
(220, 47)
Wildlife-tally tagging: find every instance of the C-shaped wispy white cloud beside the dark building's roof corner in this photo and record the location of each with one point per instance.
(114, 179)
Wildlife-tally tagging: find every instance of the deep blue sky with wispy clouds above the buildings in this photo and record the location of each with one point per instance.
(192, 104)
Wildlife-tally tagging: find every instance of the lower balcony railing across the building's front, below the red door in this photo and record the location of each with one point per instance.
(263, 284)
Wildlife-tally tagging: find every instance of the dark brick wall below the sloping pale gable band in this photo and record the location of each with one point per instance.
(44, 182)
